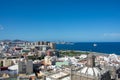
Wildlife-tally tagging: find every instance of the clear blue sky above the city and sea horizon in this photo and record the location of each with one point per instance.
(60, 20)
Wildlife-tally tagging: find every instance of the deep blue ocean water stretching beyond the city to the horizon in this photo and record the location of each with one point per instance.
(102, 47)
